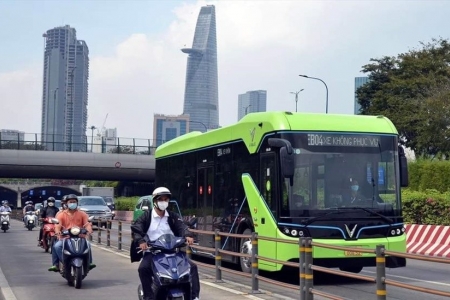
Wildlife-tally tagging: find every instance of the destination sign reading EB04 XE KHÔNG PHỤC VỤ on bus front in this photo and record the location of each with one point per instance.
(343, 140)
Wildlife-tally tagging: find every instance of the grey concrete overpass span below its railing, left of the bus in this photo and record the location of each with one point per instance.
(16, 163)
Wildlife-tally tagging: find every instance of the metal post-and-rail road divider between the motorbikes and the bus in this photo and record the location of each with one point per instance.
(305, 266)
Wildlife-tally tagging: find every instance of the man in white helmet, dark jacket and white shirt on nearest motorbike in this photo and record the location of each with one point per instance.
(153, 223)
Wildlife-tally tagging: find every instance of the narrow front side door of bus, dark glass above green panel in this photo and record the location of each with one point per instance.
(267, 213)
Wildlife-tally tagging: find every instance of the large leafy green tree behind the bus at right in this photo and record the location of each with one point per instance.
(413, 89)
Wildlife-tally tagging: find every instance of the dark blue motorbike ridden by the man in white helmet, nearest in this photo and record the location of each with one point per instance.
(171, 270)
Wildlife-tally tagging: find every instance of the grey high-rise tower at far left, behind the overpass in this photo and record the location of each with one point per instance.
(65, 90)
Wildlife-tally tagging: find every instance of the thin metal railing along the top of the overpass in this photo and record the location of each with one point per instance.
(77, 143)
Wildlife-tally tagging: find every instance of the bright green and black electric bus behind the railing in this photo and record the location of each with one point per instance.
(335, 178)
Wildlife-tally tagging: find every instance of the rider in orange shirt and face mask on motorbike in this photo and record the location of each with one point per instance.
(67, 219)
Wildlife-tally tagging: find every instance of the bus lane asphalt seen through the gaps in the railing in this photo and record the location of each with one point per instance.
(419, 273)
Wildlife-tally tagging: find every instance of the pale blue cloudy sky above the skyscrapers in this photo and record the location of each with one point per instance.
(137, 68)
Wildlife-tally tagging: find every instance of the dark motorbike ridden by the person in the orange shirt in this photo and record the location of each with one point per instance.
(74, 265)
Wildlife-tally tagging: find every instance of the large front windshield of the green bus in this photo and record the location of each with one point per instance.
(341, 171)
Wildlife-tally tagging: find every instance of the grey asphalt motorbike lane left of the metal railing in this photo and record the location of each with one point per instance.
(24, 275)
